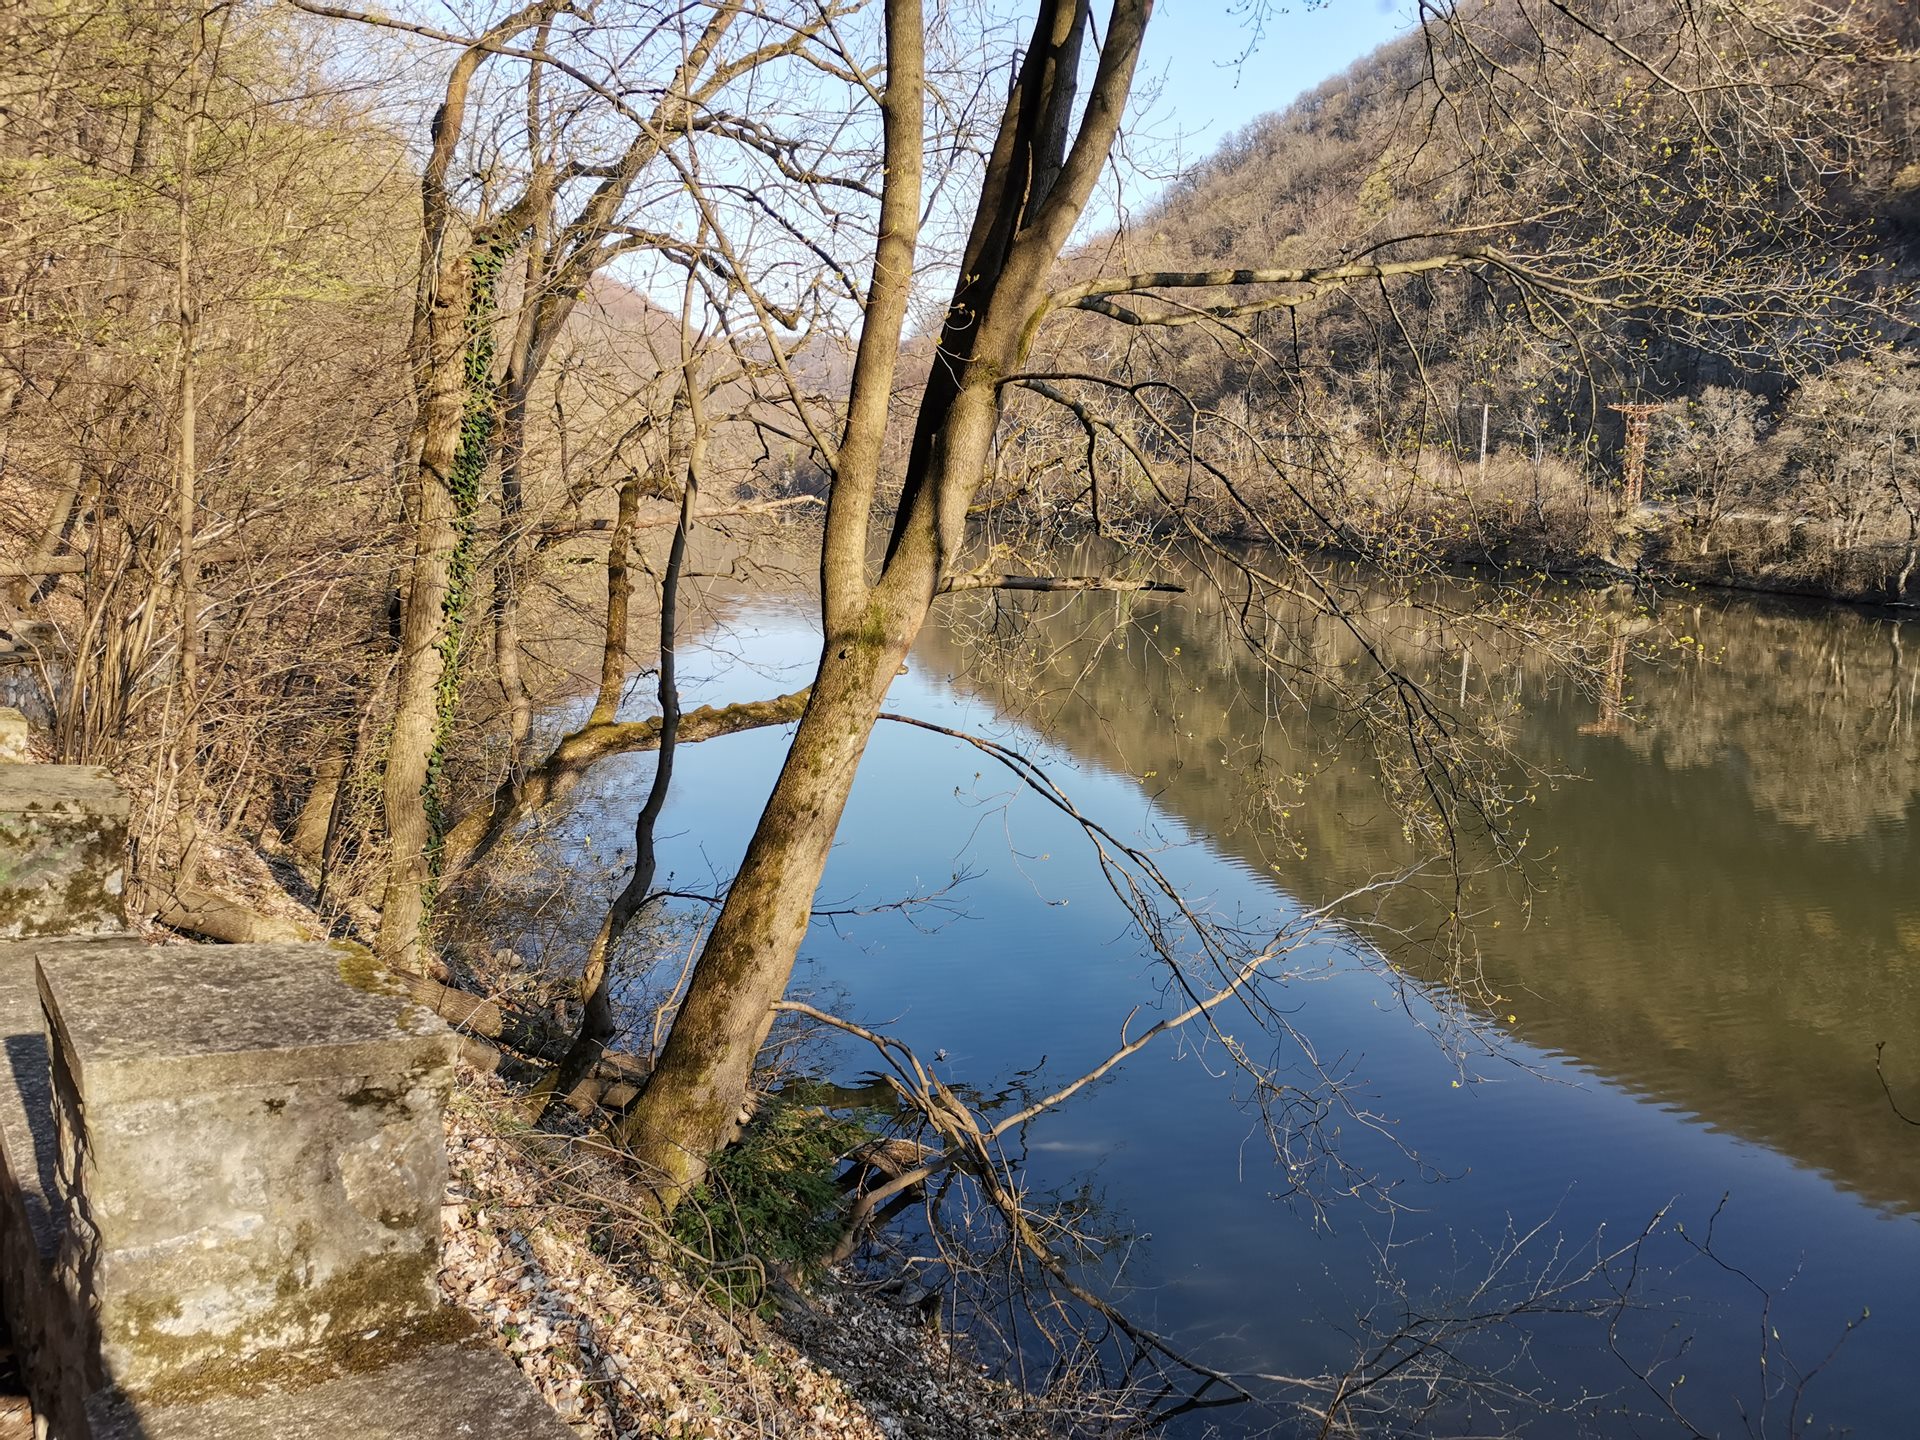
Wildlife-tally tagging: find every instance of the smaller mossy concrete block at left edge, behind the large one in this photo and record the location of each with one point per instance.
(62, 852)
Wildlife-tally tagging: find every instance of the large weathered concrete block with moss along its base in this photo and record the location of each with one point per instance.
(251, 1159)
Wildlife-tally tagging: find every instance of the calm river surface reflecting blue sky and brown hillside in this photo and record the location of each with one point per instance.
(1725, 924)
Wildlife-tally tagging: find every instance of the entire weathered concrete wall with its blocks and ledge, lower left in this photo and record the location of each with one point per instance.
(222, 1168)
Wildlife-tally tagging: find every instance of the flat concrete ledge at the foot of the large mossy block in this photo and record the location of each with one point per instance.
(452, 1391)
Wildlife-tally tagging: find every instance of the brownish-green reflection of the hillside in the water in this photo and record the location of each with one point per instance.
(1729, 882)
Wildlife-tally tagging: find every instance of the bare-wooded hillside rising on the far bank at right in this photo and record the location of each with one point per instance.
(1420, 400)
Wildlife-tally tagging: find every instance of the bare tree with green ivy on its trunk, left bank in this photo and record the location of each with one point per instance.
(562, 203)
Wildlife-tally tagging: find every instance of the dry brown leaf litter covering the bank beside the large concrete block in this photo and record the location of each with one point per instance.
(623, 1351)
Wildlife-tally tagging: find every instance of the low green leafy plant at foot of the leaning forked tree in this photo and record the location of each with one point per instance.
(773, 1199)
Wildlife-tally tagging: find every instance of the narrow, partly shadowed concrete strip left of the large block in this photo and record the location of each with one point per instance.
(51, 1335)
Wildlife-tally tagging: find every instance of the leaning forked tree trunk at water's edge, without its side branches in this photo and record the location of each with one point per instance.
(1036, 185)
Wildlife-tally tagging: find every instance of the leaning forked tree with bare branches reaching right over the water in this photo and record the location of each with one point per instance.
(1049, 149)
